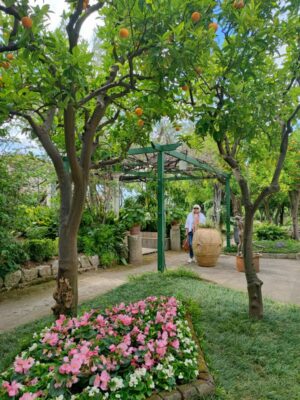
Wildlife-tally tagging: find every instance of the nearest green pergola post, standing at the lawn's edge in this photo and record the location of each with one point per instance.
(161, 263)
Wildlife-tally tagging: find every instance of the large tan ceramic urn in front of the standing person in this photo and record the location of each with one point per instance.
(207, 246)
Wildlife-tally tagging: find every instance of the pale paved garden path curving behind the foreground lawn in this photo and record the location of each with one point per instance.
(281, 282)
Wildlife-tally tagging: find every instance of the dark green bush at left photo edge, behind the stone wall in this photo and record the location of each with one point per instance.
(12, 254)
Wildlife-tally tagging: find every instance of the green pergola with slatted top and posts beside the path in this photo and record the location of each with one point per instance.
(171, 150)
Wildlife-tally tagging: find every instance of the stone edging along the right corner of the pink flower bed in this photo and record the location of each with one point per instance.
(195, 390)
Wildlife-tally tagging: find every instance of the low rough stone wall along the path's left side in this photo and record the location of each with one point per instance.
(43, 273)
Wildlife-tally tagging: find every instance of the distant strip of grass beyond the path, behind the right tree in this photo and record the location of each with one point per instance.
(284, 246)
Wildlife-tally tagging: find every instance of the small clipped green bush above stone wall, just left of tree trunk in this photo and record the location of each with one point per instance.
(41, 249)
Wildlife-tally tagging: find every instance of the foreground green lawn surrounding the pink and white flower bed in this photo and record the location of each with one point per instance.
(249, 360)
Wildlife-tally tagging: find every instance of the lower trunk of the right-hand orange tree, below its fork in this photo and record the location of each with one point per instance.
(253, 283)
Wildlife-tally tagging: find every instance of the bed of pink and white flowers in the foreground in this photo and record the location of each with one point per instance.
(125, 353)
